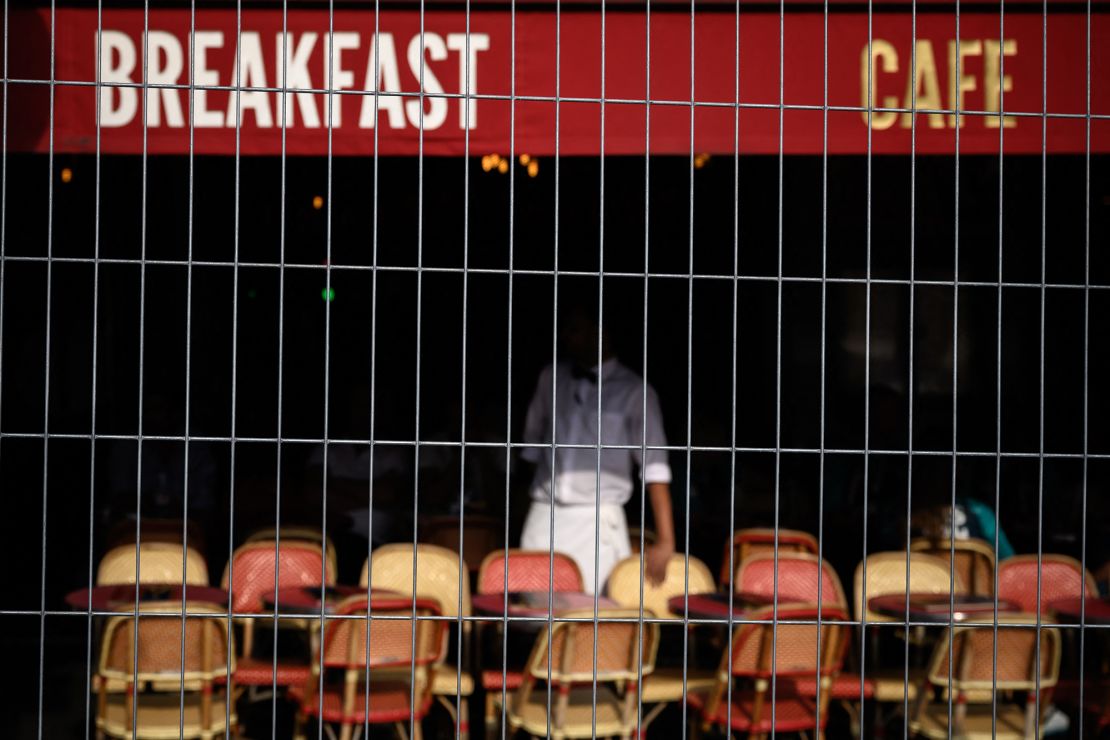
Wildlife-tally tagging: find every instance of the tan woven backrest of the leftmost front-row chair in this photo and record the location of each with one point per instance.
(155, 651)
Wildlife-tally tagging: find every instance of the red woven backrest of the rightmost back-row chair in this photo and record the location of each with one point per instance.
(1063, 577)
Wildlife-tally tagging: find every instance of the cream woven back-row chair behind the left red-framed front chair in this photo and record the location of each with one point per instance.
(443, 577)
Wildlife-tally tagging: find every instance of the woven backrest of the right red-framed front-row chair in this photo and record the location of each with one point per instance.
(766, 648)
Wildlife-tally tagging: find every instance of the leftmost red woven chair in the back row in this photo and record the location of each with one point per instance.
(249, 576)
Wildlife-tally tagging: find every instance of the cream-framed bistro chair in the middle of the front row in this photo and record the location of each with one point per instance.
(594, 692)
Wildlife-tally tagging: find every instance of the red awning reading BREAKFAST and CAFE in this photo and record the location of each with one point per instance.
(518, 66)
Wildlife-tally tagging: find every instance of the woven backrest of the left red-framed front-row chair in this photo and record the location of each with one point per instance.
(391, 638)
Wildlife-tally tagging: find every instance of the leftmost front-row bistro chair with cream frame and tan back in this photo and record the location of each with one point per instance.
(153, 656)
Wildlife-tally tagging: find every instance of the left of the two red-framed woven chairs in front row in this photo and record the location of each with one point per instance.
(379, 658)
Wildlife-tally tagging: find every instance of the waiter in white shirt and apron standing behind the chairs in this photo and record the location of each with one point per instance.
(586, 498)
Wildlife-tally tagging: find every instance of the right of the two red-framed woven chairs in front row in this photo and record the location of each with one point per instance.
(789, 655)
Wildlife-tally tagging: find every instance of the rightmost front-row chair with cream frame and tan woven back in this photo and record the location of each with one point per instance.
(976, 677)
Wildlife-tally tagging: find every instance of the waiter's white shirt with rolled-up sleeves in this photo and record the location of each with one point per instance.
(623, 423)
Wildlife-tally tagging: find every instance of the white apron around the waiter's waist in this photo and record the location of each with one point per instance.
(576, 535)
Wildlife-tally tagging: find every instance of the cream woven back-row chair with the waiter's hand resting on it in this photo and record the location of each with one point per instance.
(665, 685)
